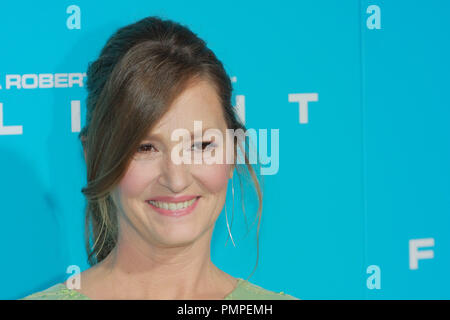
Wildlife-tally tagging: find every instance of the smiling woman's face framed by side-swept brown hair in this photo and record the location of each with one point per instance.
(153, 174)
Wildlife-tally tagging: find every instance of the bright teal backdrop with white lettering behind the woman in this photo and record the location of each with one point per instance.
(359, 207)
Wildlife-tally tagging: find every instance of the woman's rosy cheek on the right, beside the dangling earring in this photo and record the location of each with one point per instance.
(214, 177)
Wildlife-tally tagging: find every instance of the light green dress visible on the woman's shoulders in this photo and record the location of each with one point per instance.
(244, 290)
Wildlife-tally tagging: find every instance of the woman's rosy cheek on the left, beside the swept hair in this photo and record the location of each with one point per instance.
(134, 181)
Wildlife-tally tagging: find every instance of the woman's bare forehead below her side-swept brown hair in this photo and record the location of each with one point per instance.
(198, 102)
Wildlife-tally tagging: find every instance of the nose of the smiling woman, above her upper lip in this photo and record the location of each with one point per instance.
(175, 177)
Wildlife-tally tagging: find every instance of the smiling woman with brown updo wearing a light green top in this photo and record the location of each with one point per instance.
(151, 219)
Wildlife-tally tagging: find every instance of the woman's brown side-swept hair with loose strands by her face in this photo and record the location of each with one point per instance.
(142, 68)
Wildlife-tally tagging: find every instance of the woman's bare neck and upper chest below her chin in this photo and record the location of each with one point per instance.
(140, 270)
